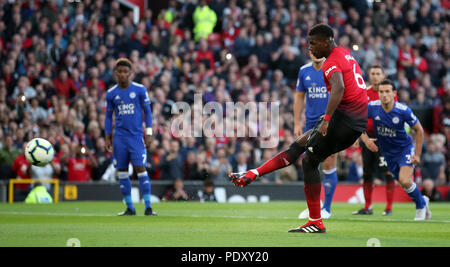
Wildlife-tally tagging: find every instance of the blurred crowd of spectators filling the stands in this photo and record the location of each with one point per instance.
(57, 60)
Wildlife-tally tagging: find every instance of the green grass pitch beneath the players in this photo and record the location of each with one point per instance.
(192, 224)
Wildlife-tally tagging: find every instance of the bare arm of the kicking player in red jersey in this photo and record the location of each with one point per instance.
(337, 91)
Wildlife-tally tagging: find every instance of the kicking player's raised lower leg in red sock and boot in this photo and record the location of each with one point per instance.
(281, 160)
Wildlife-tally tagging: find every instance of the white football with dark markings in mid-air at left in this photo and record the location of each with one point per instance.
(39, 152)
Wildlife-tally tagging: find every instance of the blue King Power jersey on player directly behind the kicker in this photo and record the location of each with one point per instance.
(311, 82)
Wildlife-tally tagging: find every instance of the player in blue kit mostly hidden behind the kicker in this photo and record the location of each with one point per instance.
(310, 84)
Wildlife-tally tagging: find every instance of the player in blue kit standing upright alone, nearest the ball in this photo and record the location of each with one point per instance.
(129, 102)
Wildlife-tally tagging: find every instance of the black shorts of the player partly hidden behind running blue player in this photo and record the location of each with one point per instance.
(373, 162)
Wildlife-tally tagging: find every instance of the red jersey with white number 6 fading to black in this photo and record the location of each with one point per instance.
(354, 102)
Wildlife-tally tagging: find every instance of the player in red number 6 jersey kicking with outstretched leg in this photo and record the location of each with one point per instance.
(344, 121)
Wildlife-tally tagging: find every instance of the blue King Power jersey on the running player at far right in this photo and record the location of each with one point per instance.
(390, 127)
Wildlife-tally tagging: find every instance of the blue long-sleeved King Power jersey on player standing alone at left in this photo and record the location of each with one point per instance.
(128, 105)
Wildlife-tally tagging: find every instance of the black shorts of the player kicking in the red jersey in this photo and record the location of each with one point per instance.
(339, 136)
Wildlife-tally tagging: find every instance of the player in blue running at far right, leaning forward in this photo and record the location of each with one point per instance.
(389, 118)
